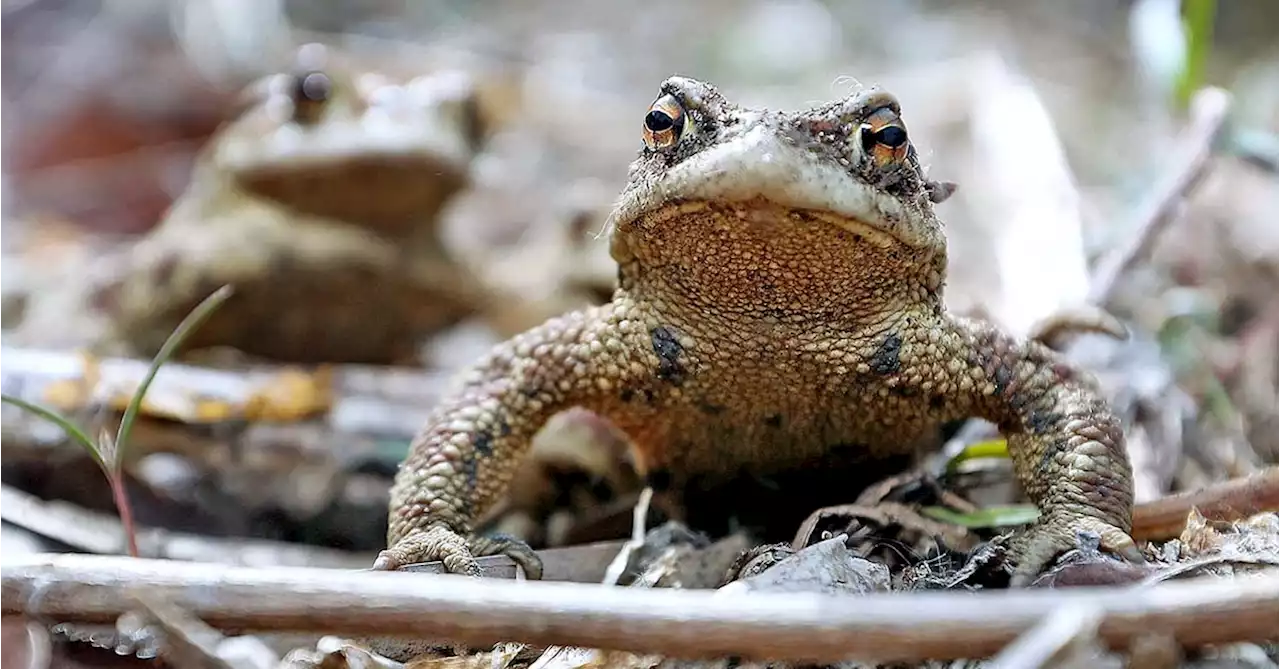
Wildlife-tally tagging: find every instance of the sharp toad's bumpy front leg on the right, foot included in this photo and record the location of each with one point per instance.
(1067, 445)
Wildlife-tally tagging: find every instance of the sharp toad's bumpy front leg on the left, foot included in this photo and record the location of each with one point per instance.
(467, 455)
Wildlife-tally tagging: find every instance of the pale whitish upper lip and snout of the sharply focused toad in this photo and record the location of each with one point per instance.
(766, 167)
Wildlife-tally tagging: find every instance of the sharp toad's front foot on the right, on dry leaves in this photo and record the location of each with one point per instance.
(1039, 547)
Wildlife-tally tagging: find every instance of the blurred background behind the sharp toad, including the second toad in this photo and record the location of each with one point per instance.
(435, 177)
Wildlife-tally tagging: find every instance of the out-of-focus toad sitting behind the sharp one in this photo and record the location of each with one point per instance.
(319, 204)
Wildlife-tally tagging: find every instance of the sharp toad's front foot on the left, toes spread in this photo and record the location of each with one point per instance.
(459, 555)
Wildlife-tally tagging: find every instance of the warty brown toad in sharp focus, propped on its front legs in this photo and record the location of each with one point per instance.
(780, 299)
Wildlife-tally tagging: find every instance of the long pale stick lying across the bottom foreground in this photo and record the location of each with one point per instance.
(679, 624)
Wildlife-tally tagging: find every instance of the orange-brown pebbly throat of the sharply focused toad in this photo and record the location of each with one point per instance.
(757, 258)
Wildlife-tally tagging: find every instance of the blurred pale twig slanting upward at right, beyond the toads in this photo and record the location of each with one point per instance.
(1159, 210)
